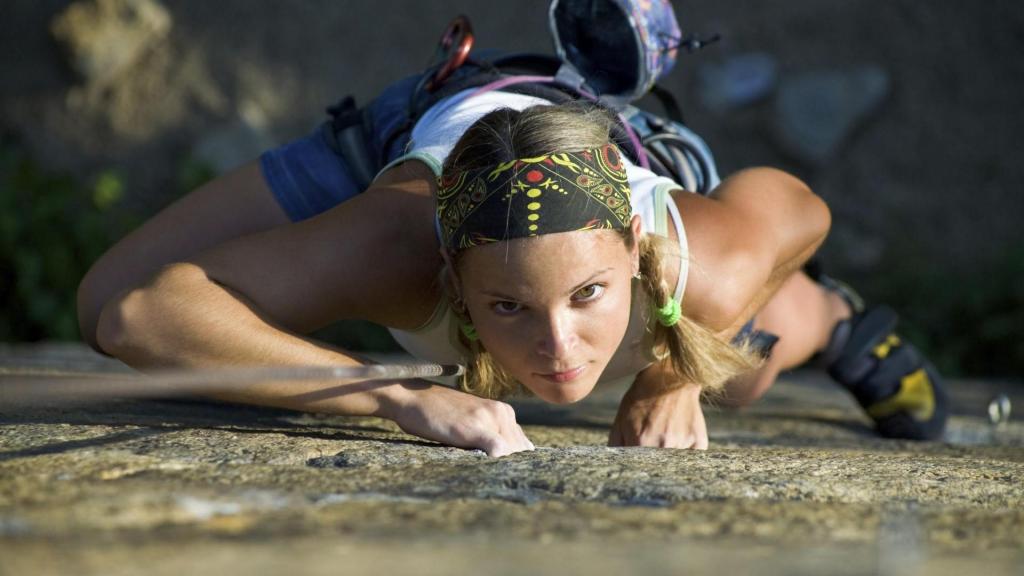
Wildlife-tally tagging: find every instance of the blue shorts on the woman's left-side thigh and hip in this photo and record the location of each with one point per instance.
(309, 178)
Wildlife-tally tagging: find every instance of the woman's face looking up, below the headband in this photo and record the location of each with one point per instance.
(551, 310)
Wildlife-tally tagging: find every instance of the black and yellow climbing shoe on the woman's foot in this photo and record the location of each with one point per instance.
(901, 390)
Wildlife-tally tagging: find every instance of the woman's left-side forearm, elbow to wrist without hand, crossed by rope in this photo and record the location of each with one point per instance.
(184, 320)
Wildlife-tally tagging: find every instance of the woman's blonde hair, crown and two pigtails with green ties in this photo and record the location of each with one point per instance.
(697, 354)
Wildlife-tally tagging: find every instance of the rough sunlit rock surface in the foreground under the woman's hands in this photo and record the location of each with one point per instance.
(797, 485)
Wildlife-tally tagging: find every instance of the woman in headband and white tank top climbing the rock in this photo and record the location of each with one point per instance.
(518, 234)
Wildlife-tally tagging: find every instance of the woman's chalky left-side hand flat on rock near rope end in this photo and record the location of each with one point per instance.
(461, 420)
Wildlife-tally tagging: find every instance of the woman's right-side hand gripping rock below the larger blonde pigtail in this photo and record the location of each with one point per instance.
(651, 417)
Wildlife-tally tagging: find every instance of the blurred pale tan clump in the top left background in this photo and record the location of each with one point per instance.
(104, 38)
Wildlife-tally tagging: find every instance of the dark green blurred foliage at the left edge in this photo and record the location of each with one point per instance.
(52, 230)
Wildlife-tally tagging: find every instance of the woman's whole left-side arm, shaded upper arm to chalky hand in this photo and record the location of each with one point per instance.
(246, 302)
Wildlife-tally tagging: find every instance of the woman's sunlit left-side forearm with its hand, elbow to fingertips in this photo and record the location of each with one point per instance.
(206, 324)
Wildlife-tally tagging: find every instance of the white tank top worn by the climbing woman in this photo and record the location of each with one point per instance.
(433, 140)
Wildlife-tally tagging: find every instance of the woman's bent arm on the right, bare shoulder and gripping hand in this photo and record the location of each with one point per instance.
(754, 231)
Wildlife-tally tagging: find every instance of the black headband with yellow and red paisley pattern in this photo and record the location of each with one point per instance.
(563, 192)
